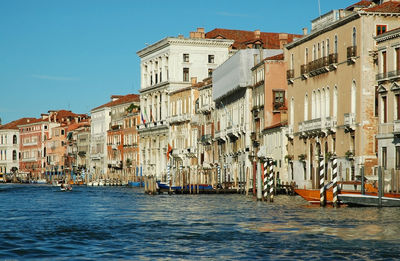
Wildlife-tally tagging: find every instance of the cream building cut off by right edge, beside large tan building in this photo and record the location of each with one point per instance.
(388, 84)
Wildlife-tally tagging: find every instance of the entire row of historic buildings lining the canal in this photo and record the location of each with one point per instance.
(226, 101)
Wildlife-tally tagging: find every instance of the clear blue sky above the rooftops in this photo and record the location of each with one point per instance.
(74, 54)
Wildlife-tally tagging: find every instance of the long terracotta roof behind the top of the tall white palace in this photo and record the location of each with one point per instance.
(243, 38)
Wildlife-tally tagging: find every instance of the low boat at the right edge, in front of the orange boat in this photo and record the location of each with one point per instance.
(359, 200)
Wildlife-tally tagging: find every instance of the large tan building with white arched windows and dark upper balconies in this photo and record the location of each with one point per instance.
(331, 76)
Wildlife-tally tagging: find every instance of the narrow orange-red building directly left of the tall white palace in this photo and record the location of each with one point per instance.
(131, 165)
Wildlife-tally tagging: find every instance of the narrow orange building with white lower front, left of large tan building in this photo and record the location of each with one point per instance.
(269, 113)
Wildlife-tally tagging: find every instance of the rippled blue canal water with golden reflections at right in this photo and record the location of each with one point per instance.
(92, 223)
